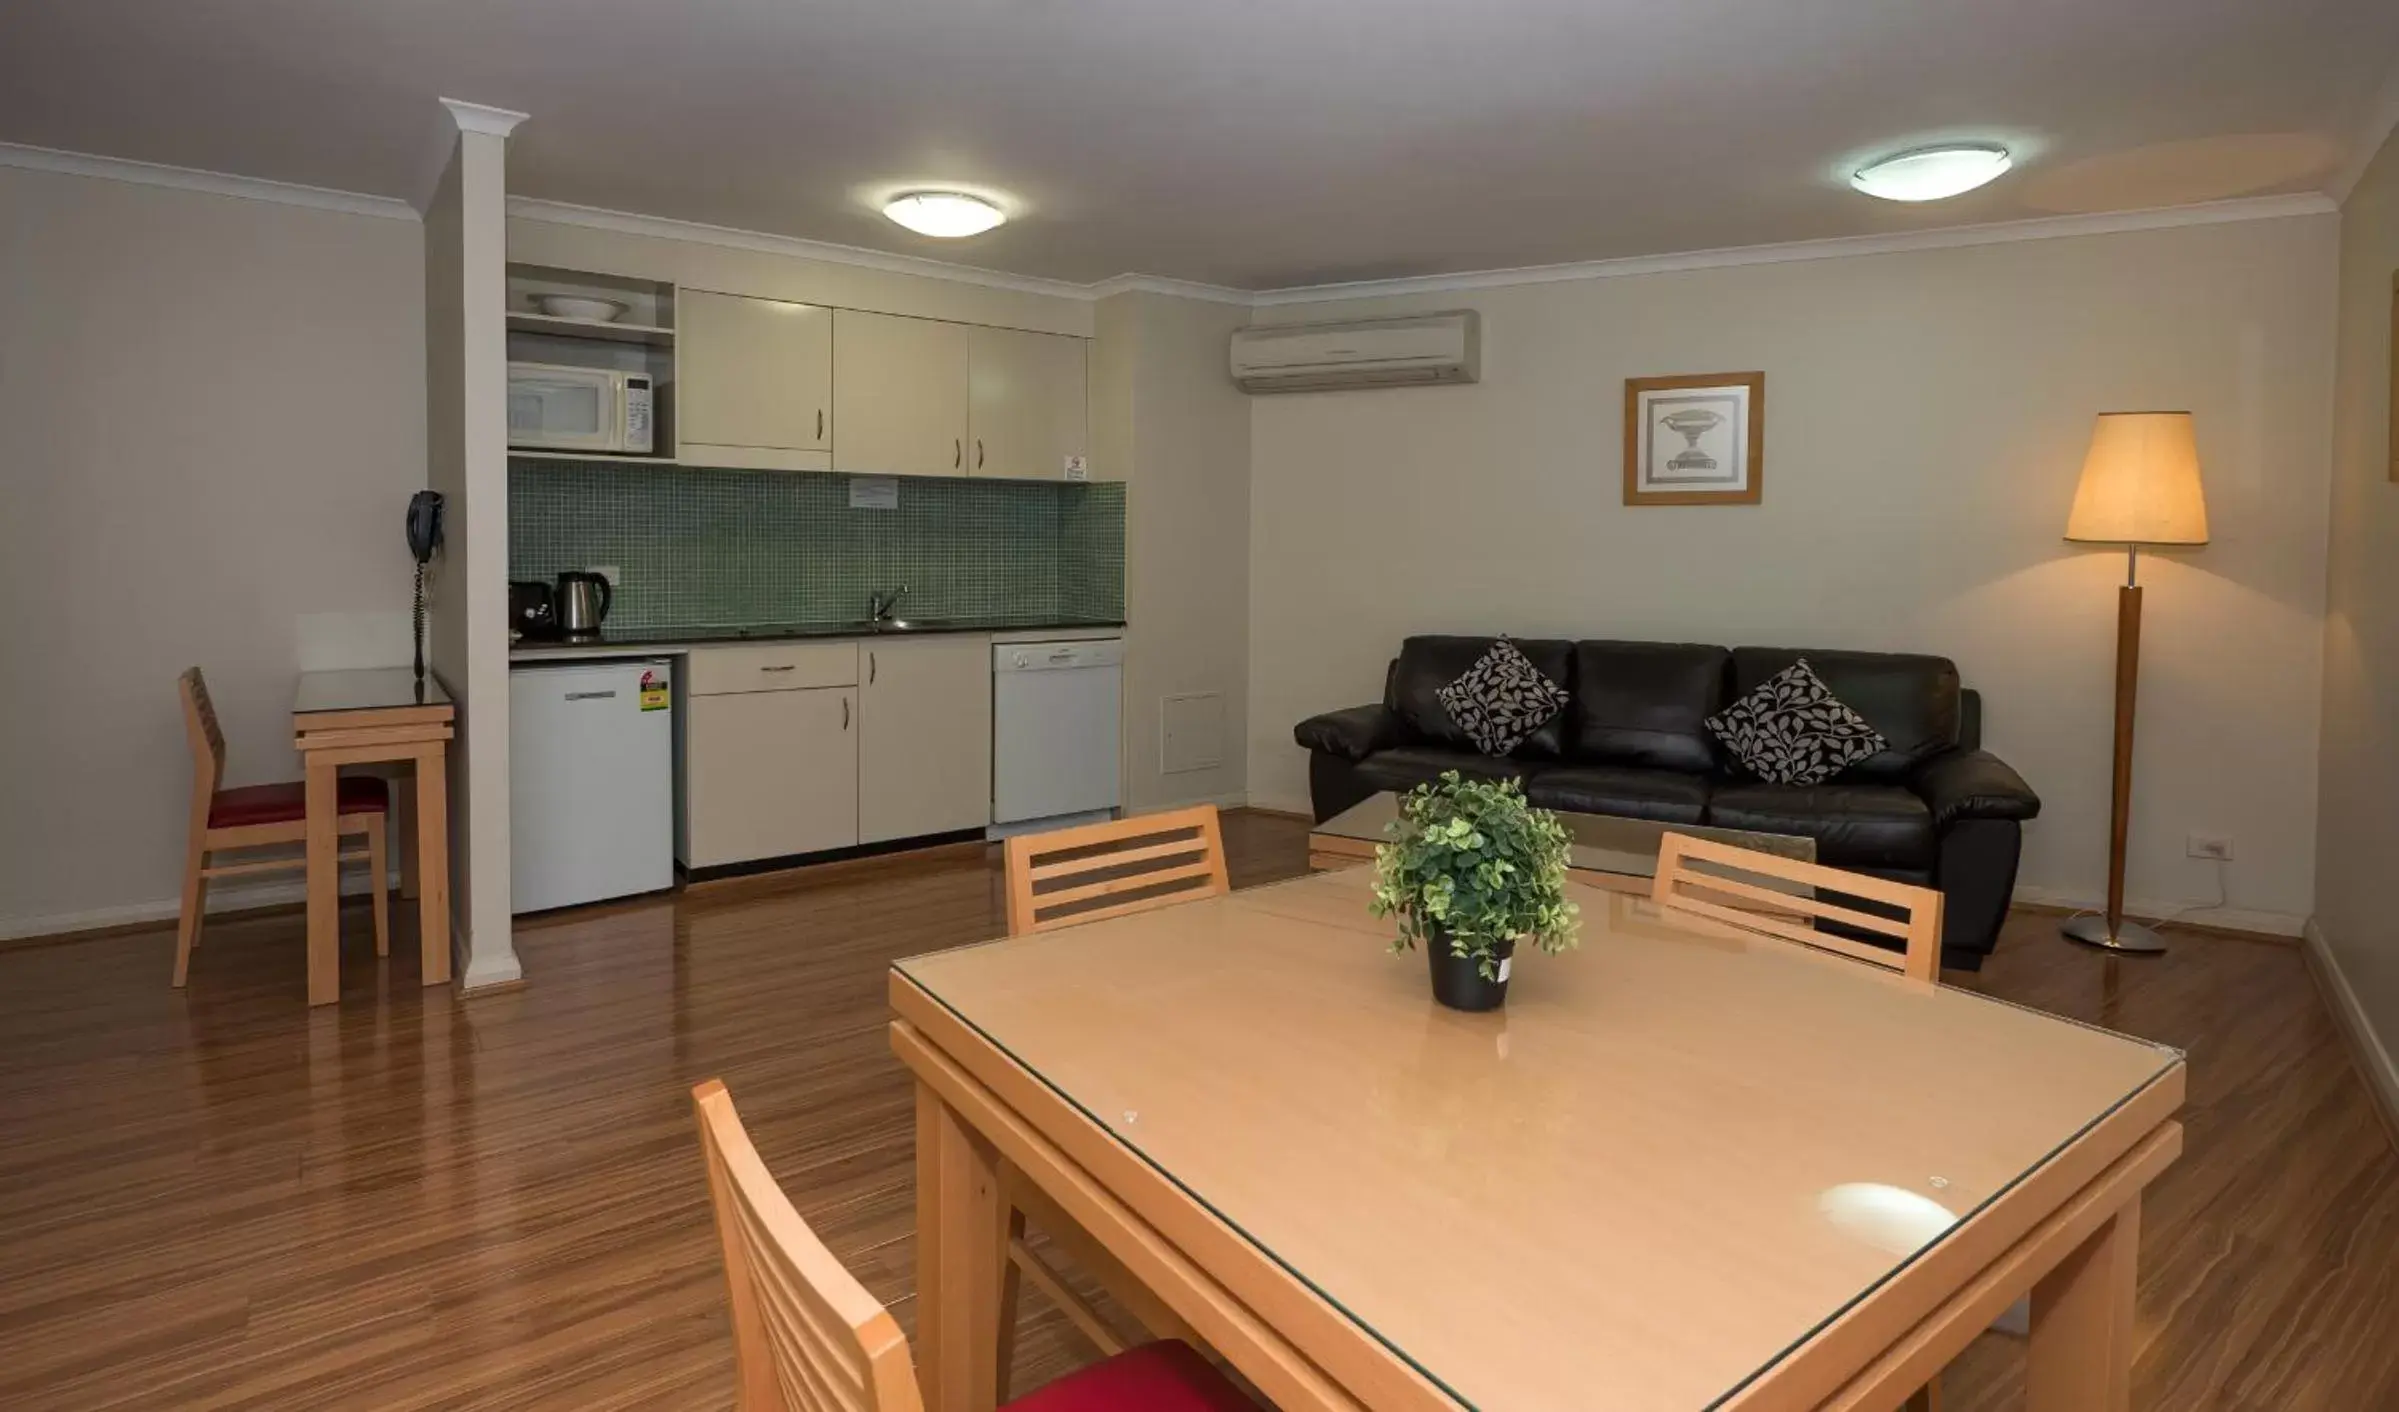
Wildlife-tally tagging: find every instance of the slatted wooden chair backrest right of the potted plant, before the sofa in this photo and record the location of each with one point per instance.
(1796, 915)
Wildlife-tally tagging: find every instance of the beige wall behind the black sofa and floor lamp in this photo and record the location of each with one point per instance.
(1925, 423)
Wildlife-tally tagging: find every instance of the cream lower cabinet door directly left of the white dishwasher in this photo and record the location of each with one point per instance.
(925, 737)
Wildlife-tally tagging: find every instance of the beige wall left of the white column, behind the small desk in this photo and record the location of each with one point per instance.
(215, 416)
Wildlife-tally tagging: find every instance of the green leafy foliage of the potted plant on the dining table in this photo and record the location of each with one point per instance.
(1474, 864)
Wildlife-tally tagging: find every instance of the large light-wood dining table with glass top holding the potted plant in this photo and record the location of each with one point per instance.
(1685, 1166)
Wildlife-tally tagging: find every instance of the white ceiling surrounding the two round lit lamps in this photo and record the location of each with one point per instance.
(1237, 143)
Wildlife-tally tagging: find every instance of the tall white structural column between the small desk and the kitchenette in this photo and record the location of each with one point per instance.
(467, 423)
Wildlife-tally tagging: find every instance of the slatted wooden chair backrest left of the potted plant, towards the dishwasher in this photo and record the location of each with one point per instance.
(1112, 869)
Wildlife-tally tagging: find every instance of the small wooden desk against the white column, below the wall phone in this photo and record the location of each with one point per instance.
(375, 718)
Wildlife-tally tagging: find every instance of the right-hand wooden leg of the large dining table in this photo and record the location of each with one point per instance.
(2081, 1356)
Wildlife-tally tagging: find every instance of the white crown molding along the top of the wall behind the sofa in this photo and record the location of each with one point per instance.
(1836, 248)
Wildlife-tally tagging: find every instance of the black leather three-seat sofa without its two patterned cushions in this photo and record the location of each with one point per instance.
(1935, 809)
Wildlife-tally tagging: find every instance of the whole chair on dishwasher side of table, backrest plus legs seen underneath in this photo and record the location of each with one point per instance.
(1064, 879)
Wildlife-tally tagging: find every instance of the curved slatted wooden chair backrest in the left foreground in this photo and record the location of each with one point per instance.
(807, 1336)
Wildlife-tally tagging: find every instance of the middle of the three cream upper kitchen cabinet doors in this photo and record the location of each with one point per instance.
(901, 397)
